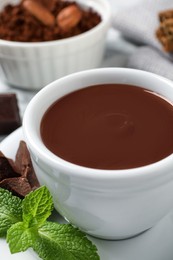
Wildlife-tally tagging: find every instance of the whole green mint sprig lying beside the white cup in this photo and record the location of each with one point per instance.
(27, 226)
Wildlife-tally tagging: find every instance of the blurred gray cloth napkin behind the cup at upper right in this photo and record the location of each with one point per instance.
(138, 23)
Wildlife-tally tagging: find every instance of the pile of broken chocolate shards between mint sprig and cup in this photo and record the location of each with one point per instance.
(18, 176)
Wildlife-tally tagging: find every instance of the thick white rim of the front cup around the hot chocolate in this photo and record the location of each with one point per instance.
(146, 171)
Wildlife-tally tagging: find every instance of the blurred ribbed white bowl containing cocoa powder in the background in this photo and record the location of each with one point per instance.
(34, 65)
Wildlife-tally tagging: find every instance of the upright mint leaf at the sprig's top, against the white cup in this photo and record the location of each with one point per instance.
(37, 206)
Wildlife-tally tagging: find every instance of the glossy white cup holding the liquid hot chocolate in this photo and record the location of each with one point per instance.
(111, 204)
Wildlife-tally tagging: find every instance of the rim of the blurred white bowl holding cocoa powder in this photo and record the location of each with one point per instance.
(106, 17)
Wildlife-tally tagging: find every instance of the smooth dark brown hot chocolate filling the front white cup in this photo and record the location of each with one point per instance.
(111, 126)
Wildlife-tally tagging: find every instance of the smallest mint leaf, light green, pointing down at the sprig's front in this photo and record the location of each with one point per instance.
(20, 238)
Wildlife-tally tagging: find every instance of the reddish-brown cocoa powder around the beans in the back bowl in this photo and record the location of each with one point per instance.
(19, 24)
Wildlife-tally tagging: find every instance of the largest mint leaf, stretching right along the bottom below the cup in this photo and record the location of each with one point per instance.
(63, 242)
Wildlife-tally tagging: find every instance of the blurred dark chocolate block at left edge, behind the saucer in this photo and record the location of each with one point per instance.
(9, 113)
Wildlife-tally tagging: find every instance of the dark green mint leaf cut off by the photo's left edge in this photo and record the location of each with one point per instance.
(10, 210)
